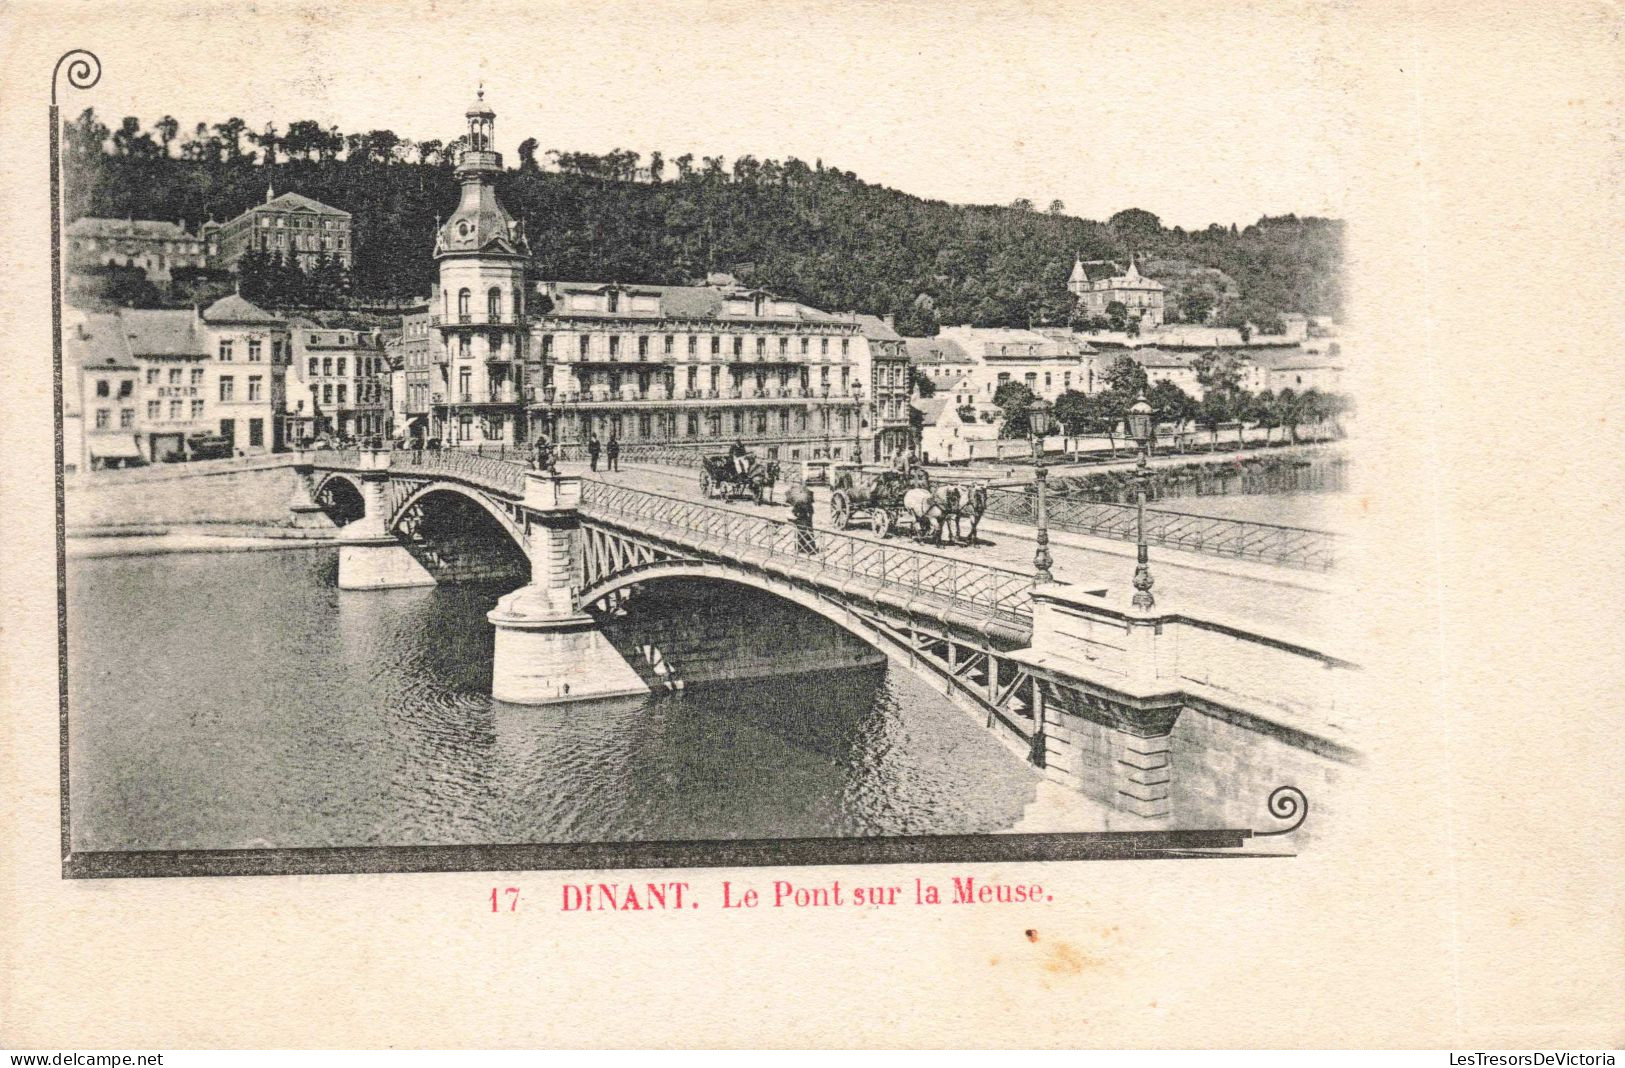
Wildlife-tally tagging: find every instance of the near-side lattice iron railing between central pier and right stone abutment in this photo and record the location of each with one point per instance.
(836, 557)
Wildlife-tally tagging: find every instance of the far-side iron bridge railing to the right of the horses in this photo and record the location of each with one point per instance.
(1293, 547)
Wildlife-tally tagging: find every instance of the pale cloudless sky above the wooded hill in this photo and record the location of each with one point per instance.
(1197, 113)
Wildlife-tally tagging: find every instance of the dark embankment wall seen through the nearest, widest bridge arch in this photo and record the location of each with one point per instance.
(698, 633)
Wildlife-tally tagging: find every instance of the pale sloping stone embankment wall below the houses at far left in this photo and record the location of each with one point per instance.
(249, 492)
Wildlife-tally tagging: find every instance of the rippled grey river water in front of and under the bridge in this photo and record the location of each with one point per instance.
(243, 701)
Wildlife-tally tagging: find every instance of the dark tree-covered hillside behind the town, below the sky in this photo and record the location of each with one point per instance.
(810, 232)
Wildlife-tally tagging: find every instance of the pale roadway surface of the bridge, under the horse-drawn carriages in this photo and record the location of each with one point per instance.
(1289, 604)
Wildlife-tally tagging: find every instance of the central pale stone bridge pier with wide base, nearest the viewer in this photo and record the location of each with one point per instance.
(547, 649)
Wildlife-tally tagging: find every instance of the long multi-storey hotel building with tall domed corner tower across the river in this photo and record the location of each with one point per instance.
(641, 363)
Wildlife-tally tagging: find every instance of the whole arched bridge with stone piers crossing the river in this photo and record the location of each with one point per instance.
(1148, 713)
